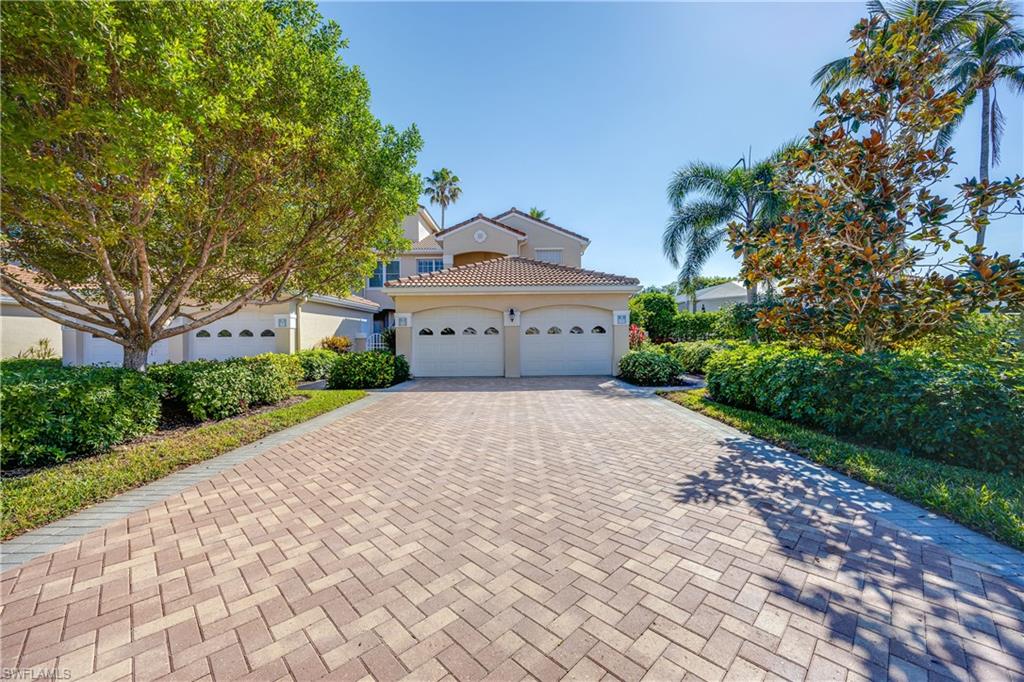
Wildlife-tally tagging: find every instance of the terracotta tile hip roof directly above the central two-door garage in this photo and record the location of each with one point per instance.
(514, 272)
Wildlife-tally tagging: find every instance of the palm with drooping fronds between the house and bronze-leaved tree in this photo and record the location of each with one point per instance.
(706, 198)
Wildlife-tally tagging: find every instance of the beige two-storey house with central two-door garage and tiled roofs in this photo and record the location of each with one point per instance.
(510, 301)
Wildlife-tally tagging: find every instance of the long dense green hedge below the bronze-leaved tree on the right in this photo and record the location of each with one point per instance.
(909, 403)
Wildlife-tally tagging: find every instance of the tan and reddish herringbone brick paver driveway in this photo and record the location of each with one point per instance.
(511, 529)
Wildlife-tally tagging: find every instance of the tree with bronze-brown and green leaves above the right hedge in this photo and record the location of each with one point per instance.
(869, 254)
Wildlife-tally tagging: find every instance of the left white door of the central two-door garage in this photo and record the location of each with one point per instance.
(458, 343)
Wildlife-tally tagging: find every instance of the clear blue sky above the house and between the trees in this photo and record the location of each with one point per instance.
(585, 110)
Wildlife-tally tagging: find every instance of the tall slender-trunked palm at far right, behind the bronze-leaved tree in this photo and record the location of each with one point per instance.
(992, 57)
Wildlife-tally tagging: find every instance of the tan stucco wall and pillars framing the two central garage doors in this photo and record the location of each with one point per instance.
(522, 304)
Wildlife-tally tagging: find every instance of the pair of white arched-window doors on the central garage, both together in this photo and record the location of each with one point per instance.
(470, 343)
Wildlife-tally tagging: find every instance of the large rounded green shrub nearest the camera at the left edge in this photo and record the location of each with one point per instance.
(53, 413)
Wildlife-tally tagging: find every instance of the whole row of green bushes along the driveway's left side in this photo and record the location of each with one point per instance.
(54, 413)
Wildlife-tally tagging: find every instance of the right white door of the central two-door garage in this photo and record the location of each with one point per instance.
(566, 340)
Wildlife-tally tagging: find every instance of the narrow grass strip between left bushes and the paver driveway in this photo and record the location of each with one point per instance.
(56, 492)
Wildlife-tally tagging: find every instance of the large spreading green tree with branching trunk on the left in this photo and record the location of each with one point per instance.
(166, 164)
